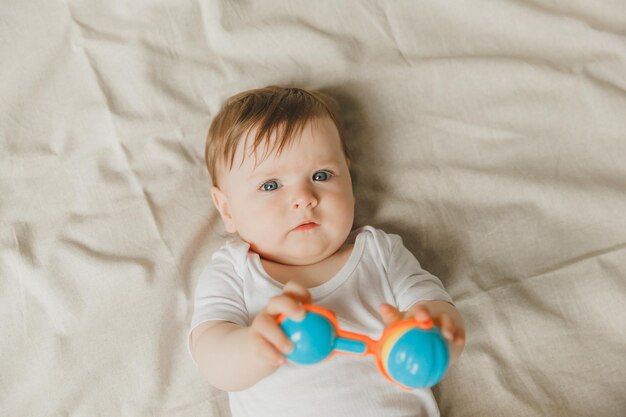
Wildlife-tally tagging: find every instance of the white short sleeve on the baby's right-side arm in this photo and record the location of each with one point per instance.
(409, 282)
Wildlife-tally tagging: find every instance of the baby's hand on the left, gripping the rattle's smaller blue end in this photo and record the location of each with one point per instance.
(269, 338)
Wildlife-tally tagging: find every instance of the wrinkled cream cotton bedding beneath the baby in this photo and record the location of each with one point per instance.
(490, 135)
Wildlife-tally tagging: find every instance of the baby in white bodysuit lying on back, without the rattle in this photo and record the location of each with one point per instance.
(282, 186)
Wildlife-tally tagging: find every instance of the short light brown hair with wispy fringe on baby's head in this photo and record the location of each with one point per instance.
(273, 109)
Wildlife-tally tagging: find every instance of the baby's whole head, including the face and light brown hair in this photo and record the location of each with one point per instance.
(280, 173)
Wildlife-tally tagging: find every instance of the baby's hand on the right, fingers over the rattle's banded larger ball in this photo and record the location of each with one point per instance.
(449, 330)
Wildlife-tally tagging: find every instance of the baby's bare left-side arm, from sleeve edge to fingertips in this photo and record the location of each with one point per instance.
(234, 358)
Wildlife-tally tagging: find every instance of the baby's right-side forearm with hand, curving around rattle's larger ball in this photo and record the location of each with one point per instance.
(443, 314)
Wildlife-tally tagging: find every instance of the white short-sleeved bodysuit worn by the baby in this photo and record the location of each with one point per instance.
(234, 287)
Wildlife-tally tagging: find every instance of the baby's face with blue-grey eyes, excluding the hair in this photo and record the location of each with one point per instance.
(308, 182)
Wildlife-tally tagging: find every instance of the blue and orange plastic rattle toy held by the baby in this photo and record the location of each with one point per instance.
(410, 353)
